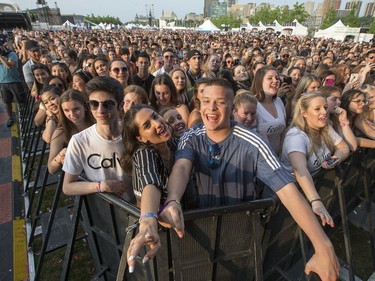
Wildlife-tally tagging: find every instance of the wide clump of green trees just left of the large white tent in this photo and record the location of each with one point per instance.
(283, 15)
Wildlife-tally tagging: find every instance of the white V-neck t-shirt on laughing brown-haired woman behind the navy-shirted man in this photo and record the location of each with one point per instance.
(273, 127)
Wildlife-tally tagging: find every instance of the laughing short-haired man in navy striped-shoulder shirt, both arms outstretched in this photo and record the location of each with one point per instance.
(227, 157)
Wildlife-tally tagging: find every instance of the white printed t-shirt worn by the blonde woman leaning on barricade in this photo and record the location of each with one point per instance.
(298, 141)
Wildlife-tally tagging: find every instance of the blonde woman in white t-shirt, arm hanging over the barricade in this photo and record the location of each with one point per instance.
(311, 144)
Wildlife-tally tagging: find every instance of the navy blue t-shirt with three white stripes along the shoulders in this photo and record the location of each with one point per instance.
(242, 157)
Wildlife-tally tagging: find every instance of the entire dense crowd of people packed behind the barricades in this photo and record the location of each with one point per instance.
(175, 120)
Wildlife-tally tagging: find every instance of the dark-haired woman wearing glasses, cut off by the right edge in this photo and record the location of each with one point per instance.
(354, 101)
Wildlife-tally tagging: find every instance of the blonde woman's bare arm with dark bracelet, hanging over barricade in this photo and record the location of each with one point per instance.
(305, 180)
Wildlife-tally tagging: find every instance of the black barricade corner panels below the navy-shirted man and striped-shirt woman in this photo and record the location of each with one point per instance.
(223, 242)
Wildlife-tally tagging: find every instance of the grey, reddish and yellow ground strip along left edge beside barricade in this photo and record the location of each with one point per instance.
(13, 252)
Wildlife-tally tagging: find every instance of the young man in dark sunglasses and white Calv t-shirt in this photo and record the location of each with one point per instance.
(97, 150)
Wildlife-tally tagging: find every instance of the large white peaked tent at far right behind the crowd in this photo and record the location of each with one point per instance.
(339, 31)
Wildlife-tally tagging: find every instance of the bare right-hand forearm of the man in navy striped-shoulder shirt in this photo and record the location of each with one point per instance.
(324, 262)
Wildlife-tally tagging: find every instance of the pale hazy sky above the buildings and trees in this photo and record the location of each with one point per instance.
(127, 9)
